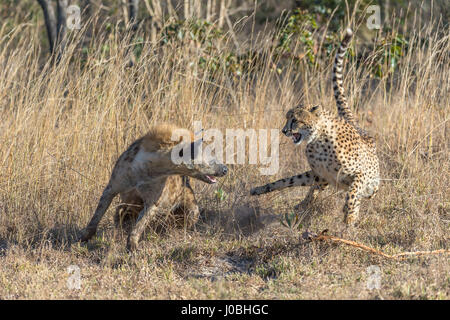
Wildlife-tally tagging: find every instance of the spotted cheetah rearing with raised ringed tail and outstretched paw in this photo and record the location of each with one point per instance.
(339, 153)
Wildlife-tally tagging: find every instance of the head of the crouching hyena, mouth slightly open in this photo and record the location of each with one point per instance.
(189, 161)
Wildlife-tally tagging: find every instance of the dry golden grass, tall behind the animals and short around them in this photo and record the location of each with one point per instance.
(62, 128)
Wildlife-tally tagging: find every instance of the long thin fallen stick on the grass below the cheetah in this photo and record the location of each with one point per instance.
(399, 256)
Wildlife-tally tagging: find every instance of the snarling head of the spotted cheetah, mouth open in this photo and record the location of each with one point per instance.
(302, 123)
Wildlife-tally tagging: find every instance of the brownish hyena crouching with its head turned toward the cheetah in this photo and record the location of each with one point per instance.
(147, 177)
